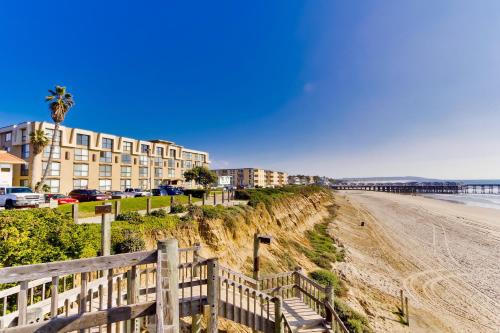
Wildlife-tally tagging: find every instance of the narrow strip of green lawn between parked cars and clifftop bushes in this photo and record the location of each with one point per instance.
(87, 209)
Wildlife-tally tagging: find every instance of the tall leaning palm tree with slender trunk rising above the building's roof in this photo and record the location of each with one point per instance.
(60, 103)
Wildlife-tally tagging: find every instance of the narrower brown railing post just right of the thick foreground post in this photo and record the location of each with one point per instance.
(212, 294)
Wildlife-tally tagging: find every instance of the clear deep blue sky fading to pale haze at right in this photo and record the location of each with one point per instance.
(337, 88)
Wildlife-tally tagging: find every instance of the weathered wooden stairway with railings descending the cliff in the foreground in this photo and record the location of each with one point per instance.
(152, 290)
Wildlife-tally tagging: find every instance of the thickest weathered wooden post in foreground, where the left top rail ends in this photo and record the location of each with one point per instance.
(167, 287)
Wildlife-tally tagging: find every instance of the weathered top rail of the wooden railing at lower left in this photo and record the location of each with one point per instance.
(38, 271)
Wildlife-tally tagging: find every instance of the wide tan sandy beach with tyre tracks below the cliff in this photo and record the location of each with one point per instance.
(444, 255)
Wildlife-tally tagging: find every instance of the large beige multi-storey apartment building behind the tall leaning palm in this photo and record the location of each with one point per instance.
(86, 159)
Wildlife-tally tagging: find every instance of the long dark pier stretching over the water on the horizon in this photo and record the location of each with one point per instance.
(442, 188)
